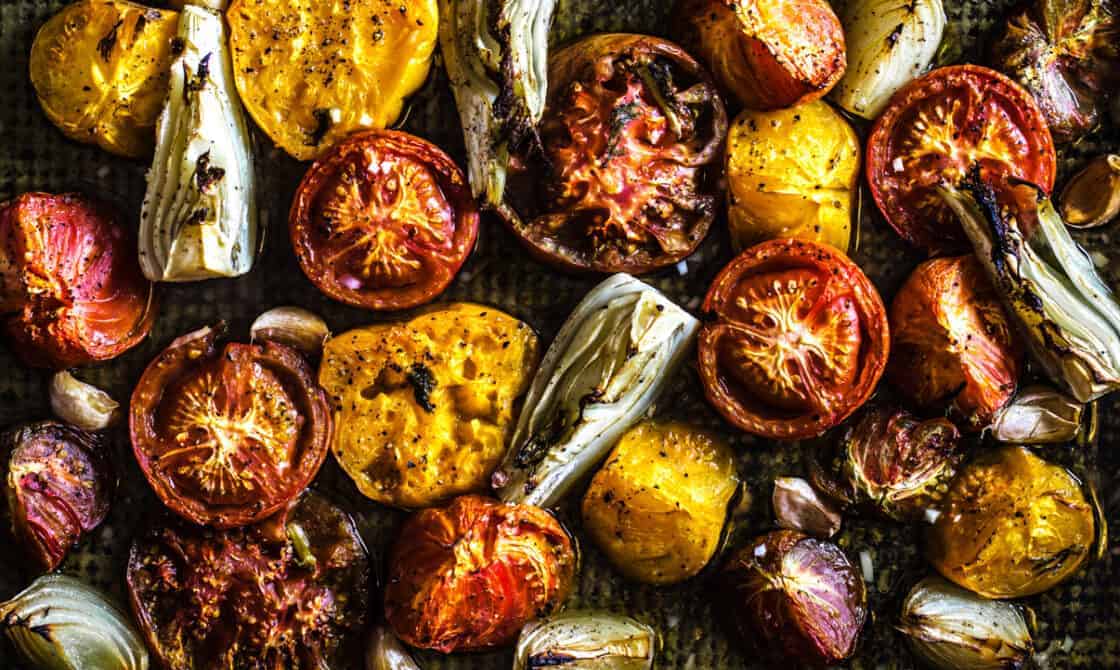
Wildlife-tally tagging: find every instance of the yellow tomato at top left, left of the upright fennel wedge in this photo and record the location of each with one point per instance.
(102, 69)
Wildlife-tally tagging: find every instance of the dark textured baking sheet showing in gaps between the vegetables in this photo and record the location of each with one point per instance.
(1079, 622)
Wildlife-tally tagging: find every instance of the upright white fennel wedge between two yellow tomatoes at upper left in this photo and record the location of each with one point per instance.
(200, 218)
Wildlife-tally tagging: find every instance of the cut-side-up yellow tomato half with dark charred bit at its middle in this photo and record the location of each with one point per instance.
(426, 408)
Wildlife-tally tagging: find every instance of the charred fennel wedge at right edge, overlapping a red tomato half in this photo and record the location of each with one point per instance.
(1065, 311)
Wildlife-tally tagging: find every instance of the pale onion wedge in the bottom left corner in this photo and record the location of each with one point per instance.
(61, 624)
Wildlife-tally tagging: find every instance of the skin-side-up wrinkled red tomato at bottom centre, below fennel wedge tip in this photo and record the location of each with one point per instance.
(471, 575)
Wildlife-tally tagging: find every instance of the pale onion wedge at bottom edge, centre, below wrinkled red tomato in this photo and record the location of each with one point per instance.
(586, 641)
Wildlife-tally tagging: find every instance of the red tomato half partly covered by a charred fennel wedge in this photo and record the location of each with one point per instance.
(937, 131)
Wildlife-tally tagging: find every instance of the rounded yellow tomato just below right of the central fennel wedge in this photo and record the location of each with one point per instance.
(659, 507)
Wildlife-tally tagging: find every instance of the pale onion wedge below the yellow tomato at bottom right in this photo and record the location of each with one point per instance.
(953, 629)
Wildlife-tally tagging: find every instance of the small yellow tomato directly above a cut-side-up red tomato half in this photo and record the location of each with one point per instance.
(792, 174)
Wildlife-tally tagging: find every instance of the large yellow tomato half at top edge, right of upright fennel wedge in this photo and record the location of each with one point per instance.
(311, 72)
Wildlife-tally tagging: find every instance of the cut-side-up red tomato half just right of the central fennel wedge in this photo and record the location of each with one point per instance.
(796, 341)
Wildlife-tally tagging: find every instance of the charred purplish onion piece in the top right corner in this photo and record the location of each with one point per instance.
(1067, 53)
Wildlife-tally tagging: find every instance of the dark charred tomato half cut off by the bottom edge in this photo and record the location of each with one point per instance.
(288, 594)
